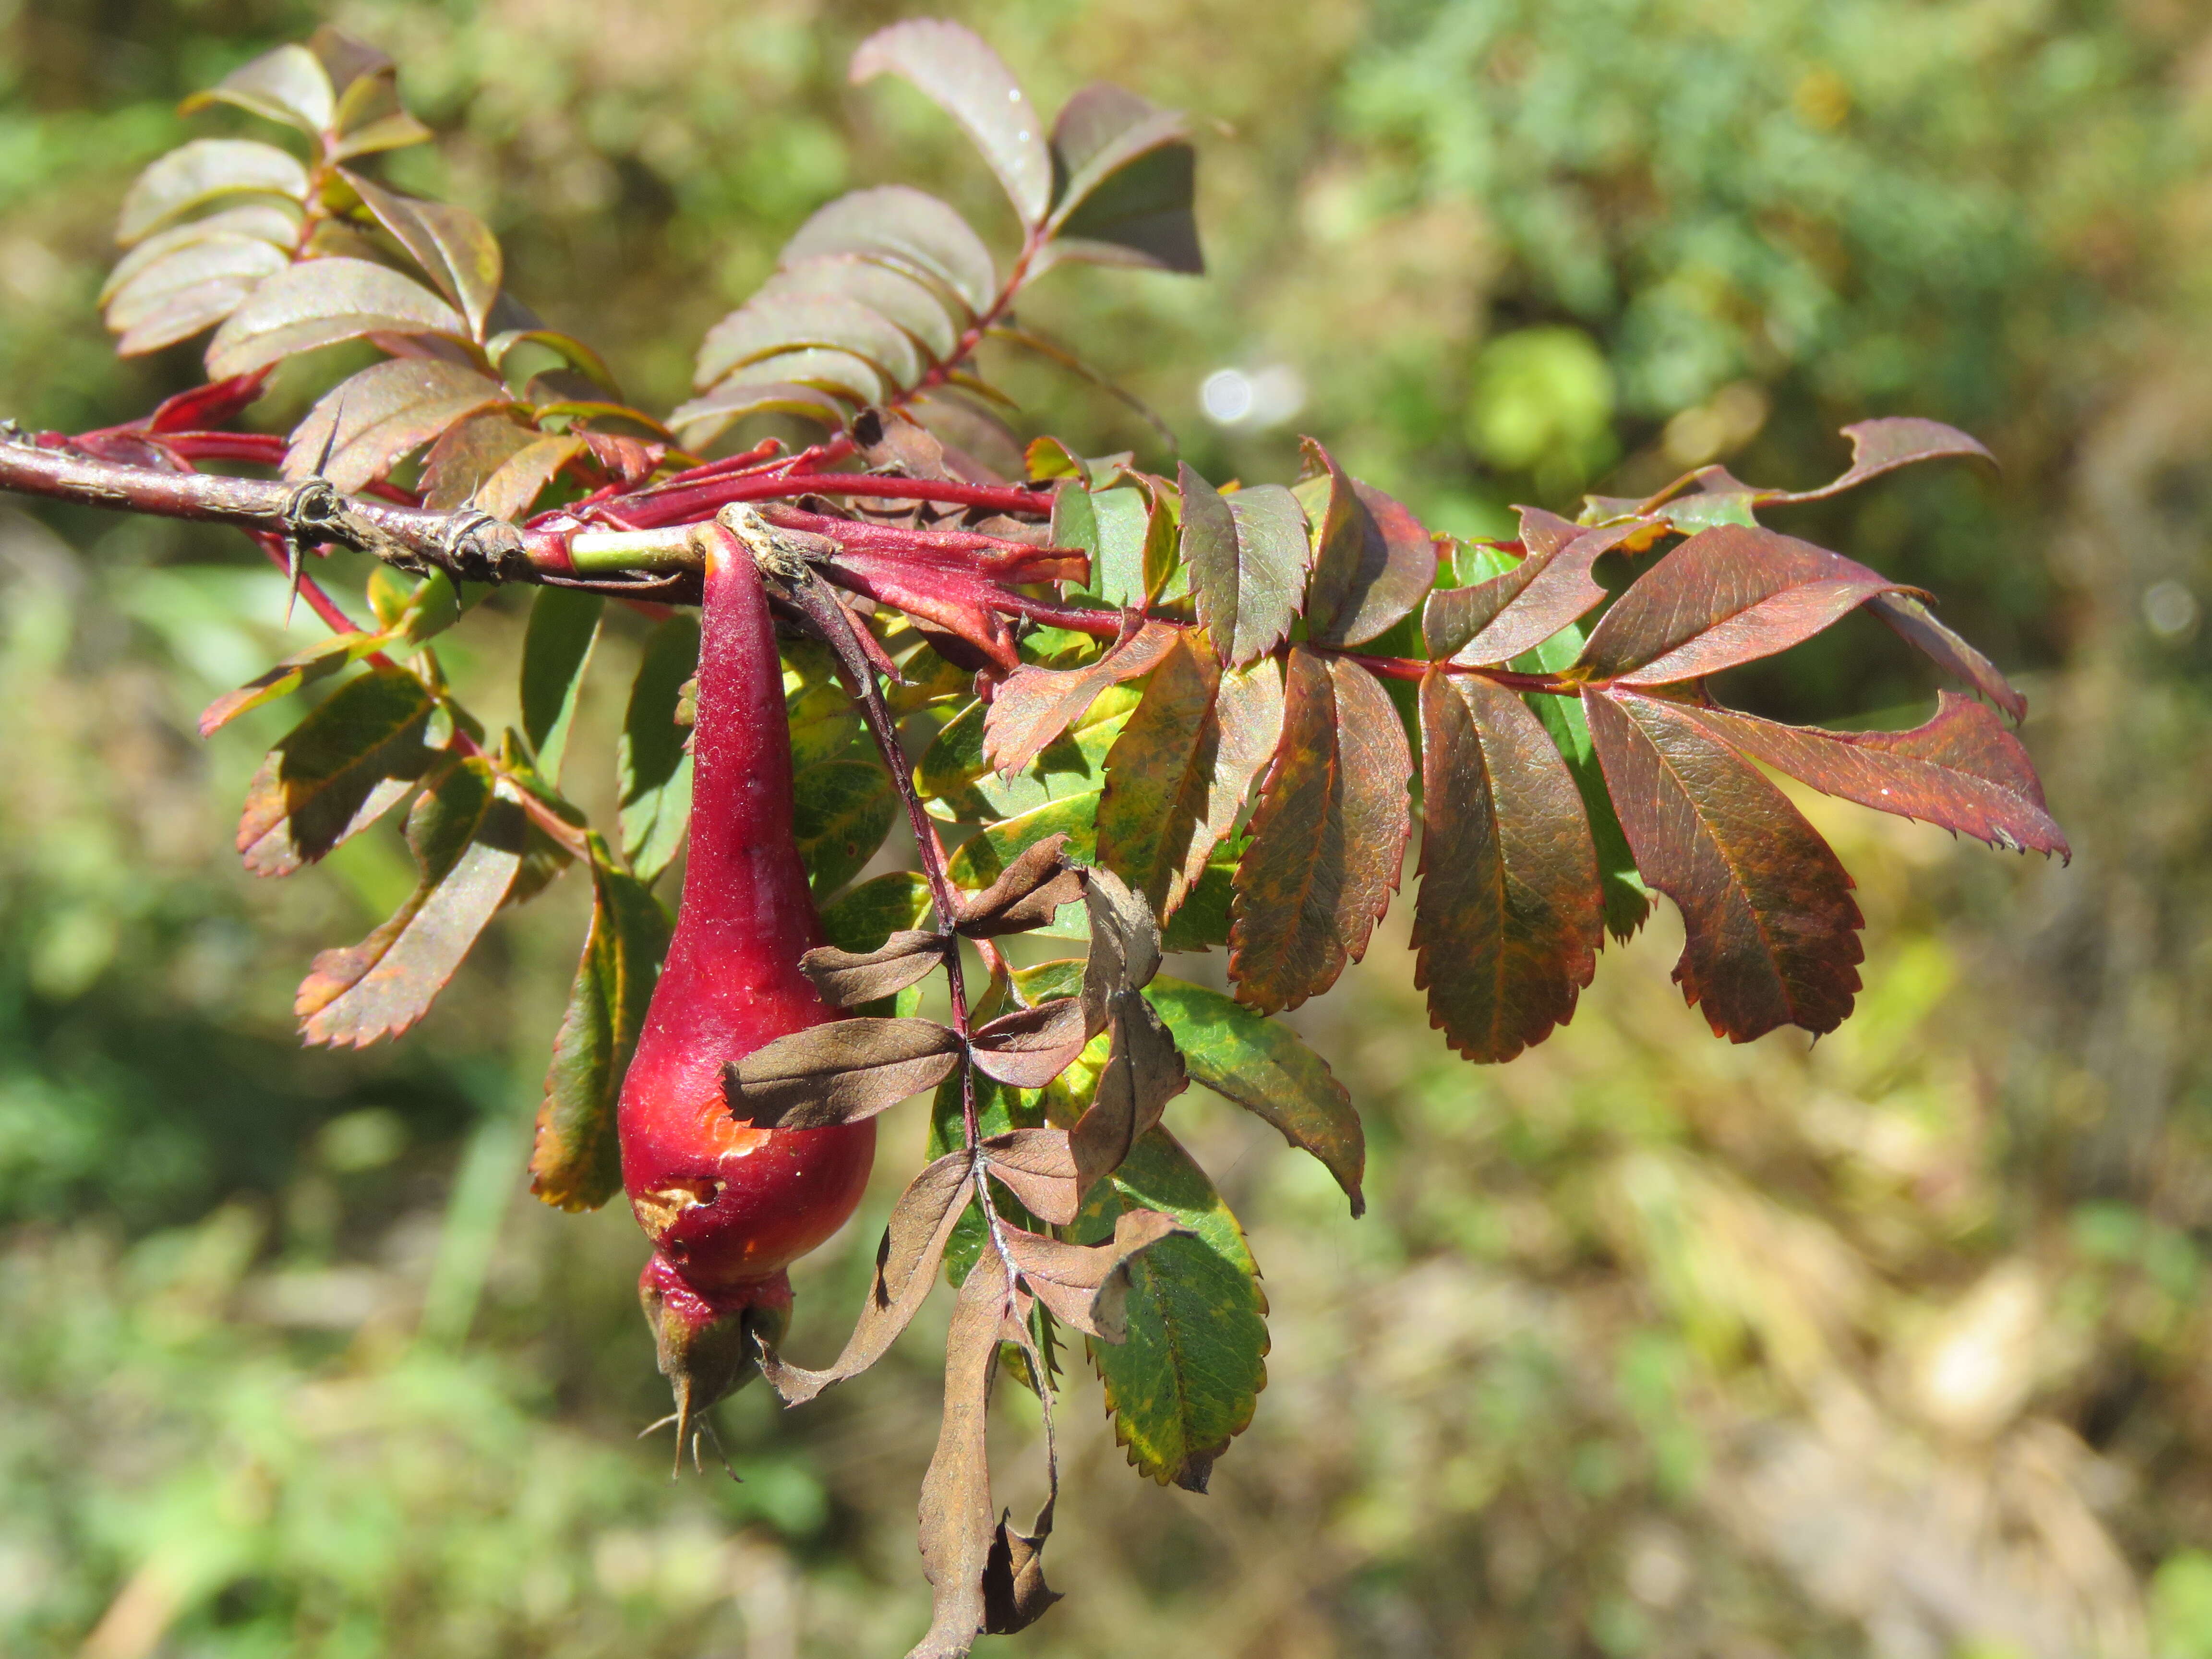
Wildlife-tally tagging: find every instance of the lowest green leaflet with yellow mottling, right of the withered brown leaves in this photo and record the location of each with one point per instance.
(1189, 1377)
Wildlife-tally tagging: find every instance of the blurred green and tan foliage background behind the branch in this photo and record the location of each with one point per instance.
(1895, 1346)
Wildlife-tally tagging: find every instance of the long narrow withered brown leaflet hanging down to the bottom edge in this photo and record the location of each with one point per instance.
(957, 1494)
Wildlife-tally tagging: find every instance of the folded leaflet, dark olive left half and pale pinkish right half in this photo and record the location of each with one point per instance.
(1180, 773)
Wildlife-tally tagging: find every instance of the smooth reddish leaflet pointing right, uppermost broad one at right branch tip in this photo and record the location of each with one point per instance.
(1724, 598)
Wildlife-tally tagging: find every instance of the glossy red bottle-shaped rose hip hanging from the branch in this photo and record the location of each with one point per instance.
(729, 1207)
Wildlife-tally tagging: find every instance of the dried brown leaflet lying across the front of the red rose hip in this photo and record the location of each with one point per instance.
(839, 1072)
